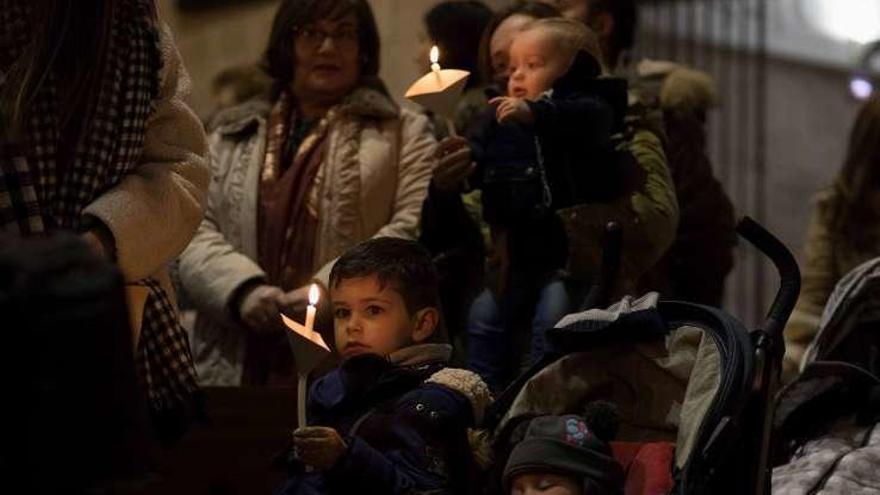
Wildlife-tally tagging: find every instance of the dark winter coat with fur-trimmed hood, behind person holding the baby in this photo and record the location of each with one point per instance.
(696, 265)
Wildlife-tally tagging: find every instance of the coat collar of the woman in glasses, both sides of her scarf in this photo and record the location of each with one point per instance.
(370, 100)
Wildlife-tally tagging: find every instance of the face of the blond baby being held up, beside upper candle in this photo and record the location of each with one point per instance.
(535, 63)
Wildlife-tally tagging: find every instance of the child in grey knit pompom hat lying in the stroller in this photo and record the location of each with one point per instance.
(563, 455)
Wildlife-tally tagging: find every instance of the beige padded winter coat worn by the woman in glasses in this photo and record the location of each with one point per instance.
(372, 183)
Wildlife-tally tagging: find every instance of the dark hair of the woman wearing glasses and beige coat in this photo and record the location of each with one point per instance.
(278, 61)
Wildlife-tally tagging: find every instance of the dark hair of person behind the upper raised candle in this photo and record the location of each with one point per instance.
(457, 28)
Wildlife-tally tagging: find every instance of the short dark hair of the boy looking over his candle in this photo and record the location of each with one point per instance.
(404, 265)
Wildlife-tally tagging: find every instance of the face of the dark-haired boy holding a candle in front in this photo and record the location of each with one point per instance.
(370, 318)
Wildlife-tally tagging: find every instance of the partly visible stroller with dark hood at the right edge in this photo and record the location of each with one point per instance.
(826, 439)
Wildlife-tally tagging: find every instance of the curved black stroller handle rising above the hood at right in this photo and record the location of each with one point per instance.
(786, 265)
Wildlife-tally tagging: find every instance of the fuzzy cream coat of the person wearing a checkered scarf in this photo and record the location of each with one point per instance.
(154, 211)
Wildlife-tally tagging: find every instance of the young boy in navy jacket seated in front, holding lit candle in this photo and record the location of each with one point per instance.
(390, 419)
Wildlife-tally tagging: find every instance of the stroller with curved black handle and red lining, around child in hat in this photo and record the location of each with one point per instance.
(678, 372)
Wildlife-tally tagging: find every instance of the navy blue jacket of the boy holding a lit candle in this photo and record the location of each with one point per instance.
(404, 434)
